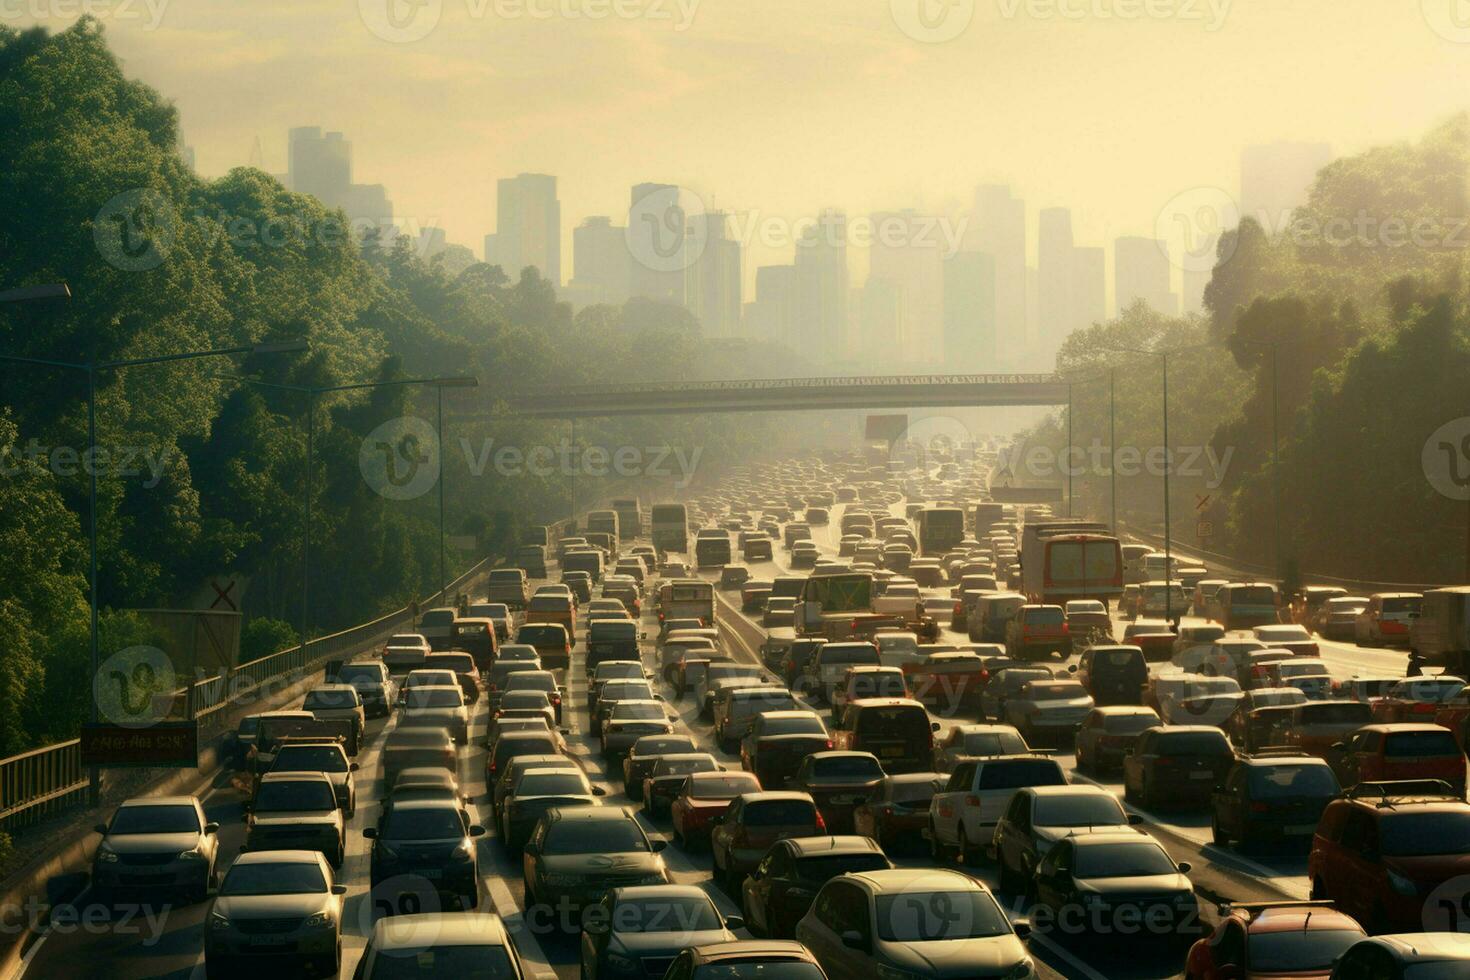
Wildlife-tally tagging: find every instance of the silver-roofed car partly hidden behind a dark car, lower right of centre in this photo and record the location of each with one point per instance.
(1037, 818)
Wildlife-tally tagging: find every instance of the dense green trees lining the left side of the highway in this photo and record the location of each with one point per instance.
(234, 262)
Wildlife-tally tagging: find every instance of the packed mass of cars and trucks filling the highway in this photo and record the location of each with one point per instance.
(830, 719)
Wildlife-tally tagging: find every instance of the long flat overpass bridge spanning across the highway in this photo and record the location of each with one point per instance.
(789, 394)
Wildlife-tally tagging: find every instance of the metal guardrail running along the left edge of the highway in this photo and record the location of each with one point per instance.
(46, 781)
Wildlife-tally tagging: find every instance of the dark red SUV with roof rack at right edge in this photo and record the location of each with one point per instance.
(1384, 849)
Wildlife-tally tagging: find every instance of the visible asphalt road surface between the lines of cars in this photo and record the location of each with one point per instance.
(168, 943)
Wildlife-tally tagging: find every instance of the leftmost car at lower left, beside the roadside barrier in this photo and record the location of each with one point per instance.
(157, 846)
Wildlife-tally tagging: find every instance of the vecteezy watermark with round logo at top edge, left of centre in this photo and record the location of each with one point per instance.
(408, 21)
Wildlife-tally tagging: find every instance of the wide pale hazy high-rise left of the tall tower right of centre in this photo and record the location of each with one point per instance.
(909, 253)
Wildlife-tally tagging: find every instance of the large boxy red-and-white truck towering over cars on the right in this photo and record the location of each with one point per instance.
(1071, 561)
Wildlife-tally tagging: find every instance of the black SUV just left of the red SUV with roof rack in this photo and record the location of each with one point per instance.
(1272, 799)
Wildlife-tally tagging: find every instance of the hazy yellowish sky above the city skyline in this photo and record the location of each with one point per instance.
(786, 107)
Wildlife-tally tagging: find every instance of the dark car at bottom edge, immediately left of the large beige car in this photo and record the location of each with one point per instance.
(637, 932)
